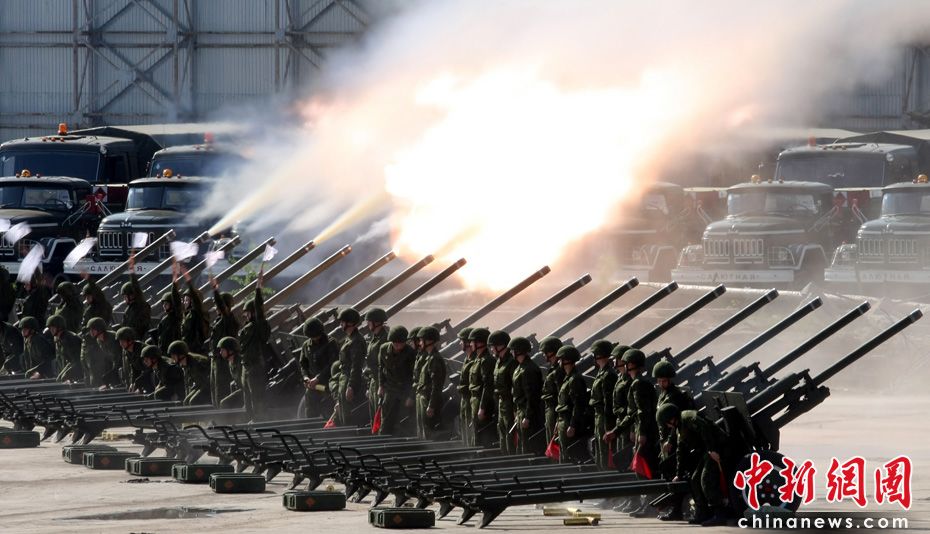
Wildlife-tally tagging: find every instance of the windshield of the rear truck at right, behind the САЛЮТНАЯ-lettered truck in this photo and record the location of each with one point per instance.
(834, 169)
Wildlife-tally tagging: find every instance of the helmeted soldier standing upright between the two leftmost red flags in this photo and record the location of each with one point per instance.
(352, 354)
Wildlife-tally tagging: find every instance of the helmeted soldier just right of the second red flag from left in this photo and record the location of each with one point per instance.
(395, 370)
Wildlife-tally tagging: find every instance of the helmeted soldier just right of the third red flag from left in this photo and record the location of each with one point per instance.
(573, 409)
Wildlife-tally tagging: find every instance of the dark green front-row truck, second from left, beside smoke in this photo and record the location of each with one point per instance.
(154, 206)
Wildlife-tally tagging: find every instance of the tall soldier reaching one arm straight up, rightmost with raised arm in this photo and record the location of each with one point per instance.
(253, 336)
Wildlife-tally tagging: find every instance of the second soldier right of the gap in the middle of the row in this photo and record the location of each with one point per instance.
(481, 389)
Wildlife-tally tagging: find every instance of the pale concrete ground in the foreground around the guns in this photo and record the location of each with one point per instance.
(40, 493)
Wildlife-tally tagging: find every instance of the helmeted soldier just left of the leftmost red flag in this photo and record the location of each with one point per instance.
(317, 355)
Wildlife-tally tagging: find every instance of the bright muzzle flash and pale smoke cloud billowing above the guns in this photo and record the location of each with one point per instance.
(521, 124)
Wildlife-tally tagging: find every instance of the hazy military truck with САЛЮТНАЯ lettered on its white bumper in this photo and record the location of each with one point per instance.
(775, 232)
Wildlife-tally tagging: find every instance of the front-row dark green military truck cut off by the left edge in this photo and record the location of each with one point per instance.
(59, 210)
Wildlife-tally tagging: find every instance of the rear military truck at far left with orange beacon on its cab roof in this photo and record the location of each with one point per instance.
(106, 157)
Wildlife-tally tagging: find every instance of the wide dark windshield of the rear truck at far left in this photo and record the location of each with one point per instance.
(74, 163)
